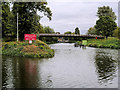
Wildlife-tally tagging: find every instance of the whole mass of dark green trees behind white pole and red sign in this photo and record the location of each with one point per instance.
(27, 16)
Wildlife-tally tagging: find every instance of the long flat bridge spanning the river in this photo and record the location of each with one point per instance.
(70, 35)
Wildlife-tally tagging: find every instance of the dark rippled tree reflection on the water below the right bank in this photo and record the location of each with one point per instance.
(106, 66)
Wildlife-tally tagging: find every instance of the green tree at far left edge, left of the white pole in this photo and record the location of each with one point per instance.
(6, 21)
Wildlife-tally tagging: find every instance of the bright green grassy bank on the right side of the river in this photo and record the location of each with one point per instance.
(113, 43)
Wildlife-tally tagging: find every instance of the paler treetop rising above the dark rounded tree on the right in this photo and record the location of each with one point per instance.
(106, 11)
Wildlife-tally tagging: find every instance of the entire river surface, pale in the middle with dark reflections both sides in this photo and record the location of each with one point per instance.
(71, 67)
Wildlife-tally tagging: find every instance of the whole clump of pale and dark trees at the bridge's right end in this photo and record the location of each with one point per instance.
(105, 25)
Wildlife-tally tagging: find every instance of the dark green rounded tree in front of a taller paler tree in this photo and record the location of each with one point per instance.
(105, 26)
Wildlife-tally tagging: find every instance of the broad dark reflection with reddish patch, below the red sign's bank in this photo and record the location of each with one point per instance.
(19, 72)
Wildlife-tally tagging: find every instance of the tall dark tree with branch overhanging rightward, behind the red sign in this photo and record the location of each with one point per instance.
(28, 17)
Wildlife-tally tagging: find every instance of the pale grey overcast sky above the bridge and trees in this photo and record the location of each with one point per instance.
(69, 14)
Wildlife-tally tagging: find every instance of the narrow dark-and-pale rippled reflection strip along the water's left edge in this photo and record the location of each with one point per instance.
(7, 75)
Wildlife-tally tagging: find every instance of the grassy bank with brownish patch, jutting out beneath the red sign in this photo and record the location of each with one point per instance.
(37, 49)
